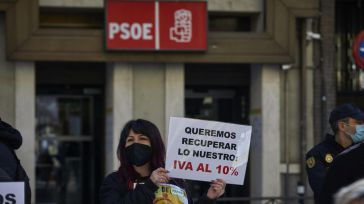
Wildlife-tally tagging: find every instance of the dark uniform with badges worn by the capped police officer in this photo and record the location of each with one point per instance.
(318, 160)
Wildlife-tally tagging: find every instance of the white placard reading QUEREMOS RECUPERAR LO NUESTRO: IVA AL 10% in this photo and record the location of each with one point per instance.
(206, 150)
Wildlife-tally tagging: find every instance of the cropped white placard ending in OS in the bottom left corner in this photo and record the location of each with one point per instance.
(12, 192)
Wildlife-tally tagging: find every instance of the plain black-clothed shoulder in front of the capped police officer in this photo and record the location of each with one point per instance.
(347, 168)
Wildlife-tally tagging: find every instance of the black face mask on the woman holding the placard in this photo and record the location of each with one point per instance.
(138, 154)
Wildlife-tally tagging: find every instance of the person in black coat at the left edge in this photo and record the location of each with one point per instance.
(11, 169)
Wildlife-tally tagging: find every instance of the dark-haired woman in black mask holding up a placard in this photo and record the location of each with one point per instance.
(141, 177)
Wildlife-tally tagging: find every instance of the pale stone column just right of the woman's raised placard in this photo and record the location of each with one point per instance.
(265, 118)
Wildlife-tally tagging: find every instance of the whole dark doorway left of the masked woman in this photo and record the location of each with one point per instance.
(69, 132)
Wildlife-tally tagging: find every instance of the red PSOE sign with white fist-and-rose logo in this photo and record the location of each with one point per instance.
(156, 25)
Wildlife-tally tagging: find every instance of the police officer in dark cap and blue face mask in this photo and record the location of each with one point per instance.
(343, 121)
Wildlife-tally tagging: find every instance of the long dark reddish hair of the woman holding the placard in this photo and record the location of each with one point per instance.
(144, 127)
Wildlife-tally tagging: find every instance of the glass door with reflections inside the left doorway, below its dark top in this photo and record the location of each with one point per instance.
(64, 148)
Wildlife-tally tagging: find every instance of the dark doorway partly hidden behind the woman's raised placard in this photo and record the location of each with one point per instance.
(218, 92)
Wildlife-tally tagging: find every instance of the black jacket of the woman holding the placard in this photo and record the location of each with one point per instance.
(114, 192)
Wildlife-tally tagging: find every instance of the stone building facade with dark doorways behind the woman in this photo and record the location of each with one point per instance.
(70, 97)
